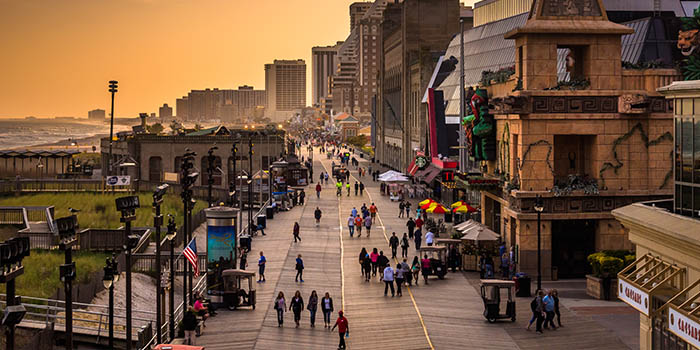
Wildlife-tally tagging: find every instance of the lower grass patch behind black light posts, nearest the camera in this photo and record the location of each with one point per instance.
(40, 278)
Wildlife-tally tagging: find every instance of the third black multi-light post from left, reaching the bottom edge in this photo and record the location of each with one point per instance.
(127, 206)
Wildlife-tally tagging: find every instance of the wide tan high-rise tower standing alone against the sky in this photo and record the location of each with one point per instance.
(285, 85)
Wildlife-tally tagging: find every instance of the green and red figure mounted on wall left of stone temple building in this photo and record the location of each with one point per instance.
(479, 126)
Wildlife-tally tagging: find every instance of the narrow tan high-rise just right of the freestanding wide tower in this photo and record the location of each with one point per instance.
(323, 64)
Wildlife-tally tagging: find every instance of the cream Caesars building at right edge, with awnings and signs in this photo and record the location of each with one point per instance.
(664, 283)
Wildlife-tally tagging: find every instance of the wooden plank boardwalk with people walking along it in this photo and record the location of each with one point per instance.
(446, 314)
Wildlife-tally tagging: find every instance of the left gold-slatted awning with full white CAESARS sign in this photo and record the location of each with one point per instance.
(646, 277)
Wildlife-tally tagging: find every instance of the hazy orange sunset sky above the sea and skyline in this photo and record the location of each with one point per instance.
(57, 56)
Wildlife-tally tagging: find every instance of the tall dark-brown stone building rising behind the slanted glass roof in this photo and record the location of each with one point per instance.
(414, 34)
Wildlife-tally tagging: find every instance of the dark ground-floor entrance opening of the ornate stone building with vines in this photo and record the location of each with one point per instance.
(572, 242)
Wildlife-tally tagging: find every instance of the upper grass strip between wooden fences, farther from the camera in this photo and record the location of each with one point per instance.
(98, 210)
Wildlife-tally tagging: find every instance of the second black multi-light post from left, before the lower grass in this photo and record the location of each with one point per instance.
(67, 238)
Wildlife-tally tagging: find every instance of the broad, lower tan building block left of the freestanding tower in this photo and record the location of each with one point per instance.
(225, 105)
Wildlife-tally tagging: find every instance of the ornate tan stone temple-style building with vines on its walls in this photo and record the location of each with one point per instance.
(596, 138)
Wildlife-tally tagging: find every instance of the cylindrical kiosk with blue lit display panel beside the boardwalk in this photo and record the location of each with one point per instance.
(222, 227)
